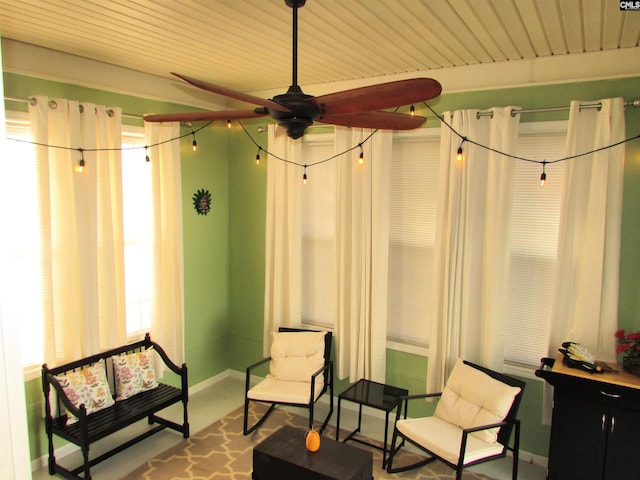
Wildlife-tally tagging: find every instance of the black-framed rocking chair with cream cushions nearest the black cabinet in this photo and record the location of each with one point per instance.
(472, 422)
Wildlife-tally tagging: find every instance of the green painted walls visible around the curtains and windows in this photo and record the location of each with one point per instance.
(224, 251)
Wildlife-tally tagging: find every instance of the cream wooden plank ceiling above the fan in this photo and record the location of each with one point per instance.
(246, 44)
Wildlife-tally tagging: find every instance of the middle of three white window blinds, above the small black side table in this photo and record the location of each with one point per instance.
(414, 185)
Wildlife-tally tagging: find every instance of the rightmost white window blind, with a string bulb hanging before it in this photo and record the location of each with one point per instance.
(534, 240)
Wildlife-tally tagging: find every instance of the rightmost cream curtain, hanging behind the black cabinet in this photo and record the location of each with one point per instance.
(585, 304)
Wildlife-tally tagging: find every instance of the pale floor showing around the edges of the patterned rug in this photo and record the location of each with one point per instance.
(209, 404)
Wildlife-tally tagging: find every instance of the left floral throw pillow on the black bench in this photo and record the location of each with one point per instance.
(87, 386)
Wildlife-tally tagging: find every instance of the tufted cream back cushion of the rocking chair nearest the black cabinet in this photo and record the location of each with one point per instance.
(472, 398)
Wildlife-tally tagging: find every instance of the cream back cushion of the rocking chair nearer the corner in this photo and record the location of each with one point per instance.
(296, 356)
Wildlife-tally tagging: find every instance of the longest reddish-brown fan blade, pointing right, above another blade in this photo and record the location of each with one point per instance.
(378, 97)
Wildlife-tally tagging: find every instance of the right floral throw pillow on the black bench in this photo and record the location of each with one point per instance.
(134, 373)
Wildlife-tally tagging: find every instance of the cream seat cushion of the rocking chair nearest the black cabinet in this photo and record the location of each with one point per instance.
(443, 439)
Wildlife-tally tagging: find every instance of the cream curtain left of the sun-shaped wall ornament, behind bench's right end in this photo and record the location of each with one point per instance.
(167, 304)
